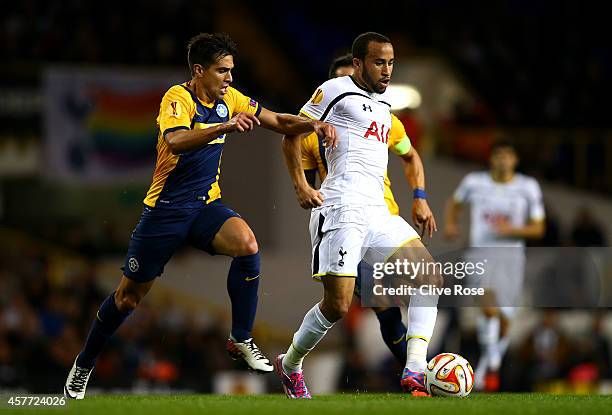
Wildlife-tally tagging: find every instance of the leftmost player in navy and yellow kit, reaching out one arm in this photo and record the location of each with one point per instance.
(183, 204)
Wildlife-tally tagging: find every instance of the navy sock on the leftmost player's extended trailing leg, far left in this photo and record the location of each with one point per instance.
(107, 321)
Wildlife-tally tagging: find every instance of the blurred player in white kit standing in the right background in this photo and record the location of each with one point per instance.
(505, 209)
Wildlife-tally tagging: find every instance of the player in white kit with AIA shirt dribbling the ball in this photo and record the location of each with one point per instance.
(350, 220)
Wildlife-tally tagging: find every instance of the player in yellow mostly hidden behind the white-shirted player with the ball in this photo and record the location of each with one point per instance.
(313, 160)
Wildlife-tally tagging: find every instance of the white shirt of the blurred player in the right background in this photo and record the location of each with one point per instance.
(516, 202)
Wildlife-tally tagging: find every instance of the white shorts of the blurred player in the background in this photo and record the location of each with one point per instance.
(504, 275)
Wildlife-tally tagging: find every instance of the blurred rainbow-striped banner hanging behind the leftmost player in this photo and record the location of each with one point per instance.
(100, 124)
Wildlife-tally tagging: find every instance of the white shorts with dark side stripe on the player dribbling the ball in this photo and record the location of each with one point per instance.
(343, 235)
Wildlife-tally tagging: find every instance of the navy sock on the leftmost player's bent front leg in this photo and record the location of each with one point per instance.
(242, 286)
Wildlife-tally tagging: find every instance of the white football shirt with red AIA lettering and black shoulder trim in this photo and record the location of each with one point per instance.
(356, 167)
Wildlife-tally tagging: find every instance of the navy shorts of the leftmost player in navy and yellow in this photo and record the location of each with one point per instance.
(161, 231)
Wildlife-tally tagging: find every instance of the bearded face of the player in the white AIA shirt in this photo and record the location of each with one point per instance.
(377, 66)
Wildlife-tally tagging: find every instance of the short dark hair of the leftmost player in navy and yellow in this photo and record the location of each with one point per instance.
(206, 48)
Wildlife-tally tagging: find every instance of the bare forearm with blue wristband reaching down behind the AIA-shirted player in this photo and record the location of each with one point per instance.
(415, 174)
